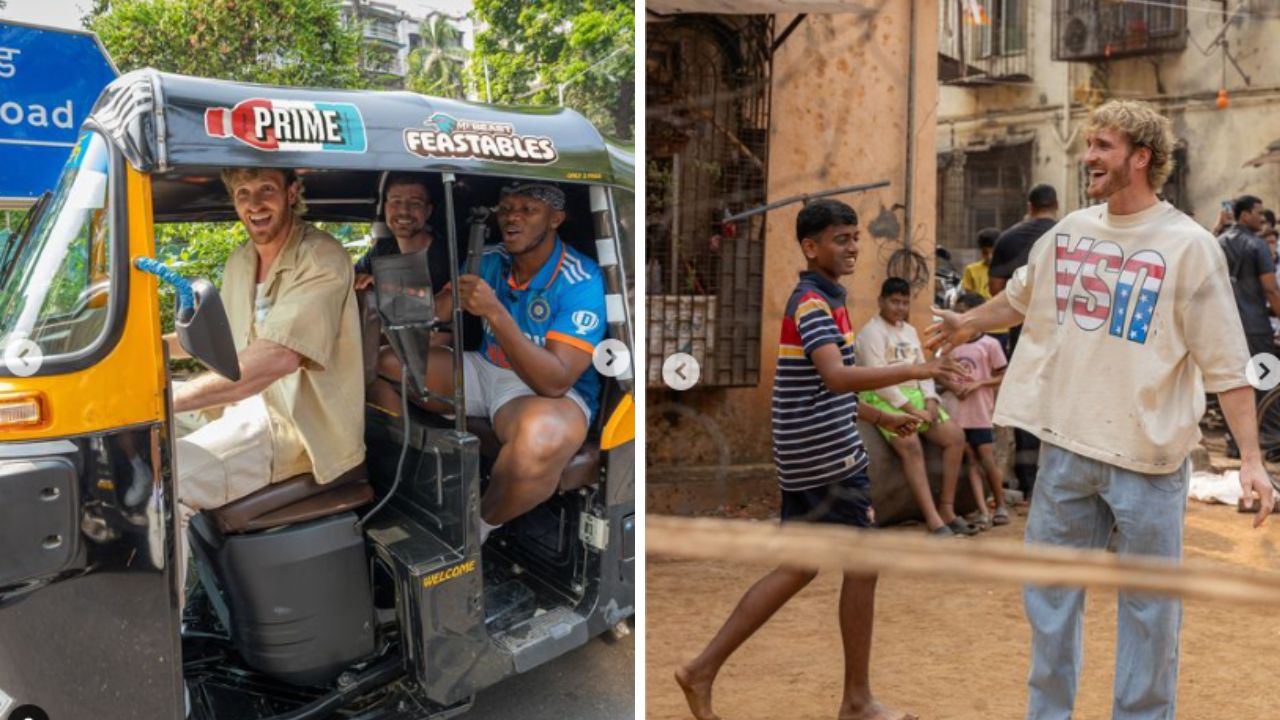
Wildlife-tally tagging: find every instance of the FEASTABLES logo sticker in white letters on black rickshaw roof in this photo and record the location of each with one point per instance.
(446, 136)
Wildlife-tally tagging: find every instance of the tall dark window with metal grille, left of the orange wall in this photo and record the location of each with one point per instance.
(707, 145)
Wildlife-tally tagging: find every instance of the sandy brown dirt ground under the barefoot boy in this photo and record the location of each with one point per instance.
(954, 651)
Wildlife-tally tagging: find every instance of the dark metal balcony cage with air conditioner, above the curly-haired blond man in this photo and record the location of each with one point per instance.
(1107, 30)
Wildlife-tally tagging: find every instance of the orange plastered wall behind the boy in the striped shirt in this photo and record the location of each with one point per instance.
(839, 117)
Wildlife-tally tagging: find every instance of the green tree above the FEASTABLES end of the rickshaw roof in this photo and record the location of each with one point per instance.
(533, 49)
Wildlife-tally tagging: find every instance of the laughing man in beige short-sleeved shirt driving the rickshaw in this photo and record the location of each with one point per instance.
(298, 407)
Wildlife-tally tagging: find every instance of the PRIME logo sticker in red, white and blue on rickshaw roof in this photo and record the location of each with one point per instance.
(291, 126)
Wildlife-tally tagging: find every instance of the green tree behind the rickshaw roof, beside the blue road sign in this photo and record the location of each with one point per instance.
(296, 43)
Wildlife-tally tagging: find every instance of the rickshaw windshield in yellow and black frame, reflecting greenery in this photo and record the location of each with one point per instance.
(56, 288)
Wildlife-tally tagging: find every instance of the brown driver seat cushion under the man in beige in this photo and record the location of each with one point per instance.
(295, 500)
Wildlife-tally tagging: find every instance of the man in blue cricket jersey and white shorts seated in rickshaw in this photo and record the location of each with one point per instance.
(543, 309)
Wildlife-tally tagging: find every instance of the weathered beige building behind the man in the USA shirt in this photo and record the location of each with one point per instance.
(1020, 79)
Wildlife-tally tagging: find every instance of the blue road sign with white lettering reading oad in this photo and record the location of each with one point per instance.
(49, 80)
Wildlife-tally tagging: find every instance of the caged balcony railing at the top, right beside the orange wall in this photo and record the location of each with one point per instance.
(984, 42)
